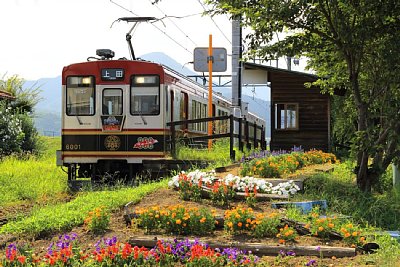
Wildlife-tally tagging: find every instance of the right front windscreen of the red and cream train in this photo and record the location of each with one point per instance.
(145, 95)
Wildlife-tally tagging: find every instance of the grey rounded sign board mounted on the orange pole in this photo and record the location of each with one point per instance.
(201, 59)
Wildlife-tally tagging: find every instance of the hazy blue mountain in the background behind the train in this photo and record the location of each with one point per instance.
(48, 110)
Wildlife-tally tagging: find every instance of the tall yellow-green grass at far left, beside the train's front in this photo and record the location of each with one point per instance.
(32, 178)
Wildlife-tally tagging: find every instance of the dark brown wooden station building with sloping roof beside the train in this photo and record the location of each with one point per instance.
(300, 116)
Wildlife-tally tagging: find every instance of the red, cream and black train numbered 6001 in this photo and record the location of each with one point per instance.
(115, 112)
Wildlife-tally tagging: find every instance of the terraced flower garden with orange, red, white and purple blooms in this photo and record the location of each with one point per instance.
(205, 221)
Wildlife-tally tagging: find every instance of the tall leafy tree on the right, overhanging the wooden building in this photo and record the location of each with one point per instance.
(351, 44)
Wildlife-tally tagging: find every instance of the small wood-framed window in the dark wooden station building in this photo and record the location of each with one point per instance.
(286, 116)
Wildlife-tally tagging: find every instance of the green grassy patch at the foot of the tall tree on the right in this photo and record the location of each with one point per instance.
(338, 188)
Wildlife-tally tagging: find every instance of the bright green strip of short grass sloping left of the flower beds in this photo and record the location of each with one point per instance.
(63, 217)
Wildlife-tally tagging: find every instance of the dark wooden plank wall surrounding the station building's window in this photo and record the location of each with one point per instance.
(313, 125)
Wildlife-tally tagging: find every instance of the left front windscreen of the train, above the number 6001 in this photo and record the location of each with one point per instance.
(80, 96)
